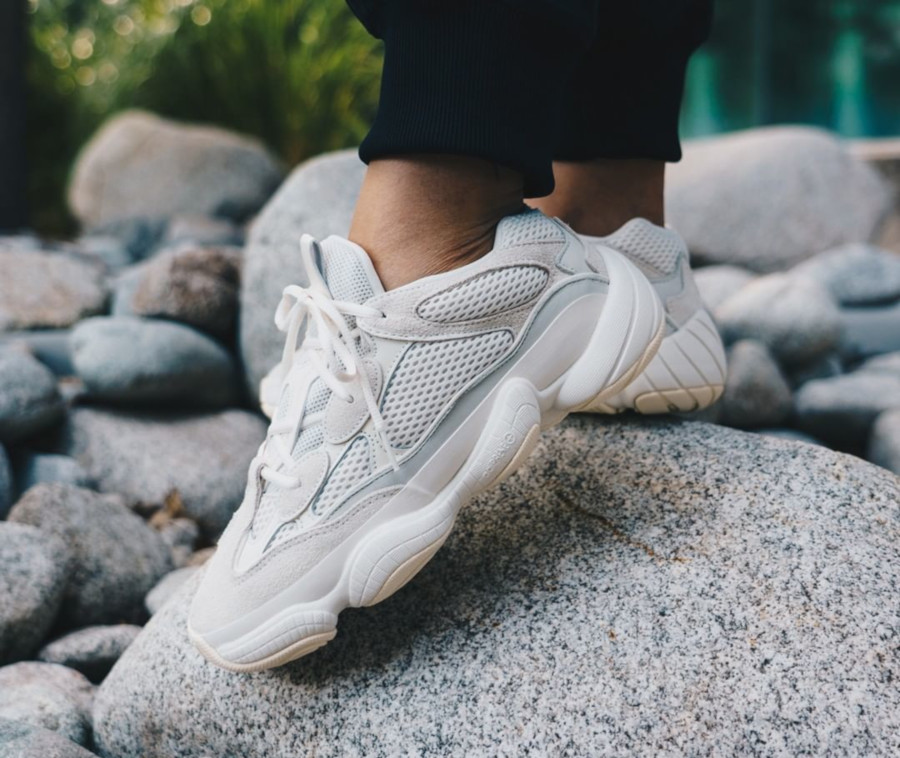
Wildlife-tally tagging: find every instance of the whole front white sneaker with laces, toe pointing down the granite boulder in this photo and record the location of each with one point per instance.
(398, 407)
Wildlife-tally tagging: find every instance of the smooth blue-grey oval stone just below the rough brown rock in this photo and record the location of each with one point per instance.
(141, 361)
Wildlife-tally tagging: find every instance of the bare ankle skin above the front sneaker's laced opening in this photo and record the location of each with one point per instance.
(419, 215)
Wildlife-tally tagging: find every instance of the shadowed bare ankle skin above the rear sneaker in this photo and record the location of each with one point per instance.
(597, 197)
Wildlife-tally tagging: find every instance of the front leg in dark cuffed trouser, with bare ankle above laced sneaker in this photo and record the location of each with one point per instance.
(466, 126)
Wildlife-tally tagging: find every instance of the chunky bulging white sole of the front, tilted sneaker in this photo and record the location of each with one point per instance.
(495, 440)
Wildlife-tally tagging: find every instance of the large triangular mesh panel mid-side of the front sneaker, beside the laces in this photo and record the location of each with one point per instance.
(429, 375)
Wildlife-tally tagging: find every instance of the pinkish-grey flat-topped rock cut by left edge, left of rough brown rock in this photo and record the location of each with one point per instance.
(45, 290)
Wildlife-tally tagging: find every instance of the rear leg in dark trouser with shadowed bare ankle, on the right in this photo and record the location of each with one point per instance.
(620, 122)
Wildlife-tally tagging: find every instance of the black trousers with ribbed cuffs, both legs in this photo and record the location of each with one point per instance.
(525, 82)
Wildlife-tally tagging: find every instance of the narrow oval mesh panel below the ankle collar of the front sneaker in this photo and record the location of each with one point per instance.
(485, 295)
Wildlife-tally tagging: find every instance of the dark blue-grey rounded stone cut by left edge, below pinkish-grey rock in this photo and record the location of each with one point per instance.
(29, 399)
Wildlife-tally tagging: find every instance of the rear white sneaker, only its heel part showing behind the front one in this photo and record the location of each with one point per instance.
(688, 371)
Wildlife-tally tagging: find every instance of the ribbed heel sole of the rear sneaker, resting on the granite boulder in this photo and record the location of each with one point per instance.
(686, 374)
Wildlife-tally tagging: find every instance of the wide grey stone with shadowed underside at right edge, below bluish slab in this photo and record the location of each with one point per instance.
(841, 410)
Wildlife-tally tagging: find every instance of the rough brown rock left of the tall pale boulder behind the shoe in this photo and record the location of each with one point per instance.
(197, 286)
